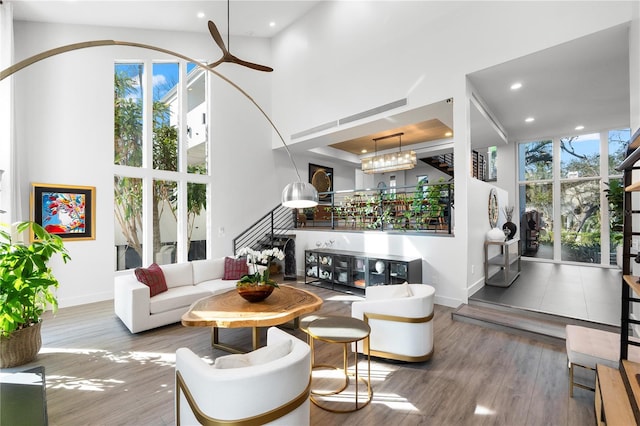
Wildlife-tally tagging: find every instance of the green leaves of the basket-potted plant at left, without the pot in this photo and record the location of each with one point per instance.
(26, 281)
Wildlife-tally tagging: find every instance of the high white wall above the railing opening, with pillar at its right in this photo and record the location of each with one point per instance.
(346, 57)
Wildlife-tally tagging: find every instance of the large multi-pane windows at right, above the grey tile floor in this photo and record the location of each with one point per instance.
(562, 184)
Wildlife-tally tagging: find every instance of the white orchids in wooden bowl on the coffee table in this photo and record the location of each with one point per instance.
(257, 284)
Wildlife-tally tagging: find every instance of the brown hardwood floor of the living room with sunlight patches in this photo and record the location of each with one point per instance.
(100, 374)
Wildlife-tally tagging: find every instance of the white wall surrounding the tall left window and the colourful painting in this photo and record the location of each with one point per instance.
(64, 118)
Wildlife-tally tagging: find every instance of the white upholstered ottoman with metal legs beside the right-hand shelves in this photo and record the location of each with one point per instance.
(587, 347)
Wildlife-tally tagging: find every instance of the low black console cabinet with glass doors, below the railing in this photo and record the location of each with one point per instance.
(345, 270)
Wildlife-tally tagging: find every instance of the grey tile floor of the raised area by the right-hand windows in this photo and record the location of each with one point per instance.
(585, 292)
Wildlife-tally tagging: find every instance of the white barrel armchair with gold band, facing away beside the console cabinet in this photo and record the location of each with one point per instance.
(401, 321)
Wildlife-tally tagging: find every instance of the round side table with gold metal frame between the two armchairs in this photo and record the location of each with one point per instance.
(345, 330)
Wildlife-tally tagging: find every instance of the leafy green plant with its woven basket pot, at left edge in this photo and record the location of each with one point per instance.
(26, 288)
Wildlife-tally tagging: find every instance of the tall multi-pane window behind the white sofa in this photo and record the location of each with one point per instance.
(161, 163)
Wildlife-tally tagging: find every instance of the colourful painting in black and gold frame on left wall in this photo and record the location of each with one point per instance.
(64, 210)
